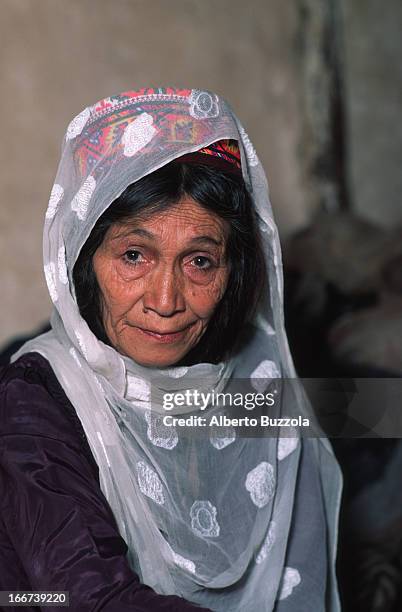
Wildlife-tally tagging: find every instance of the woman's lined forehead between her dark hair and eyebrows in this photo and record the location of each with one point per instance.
(186, 219)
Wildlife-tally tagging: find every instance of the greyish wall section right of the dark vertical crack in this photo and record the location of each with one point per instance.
(373, 71)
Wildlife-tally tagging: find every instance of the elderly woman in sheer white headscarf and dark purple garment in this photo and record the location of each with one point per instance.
(163, 263)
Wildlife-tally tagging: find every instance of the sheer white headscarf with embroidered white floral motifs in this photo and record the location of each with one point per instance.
(207, 519)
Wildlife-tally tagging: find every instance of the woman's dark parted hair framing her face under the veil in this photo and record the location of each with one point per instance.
(218, 190)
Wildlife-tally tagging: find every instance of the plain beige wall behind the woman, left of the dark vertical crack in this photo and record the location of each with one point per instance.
(58, 56)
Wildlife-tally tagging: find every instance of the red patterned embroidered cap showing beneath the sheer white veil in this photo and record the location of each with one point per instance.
(107, 134)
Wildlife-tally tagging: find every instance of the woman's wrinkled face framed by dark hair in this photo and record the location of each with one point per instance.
(161, 279)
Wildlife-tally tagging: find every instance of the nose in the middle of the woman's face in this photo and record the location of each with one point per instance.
(164, 293)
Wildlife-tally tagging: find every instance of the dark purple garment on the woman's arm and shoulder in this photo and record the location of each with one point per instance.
(57, 531)
